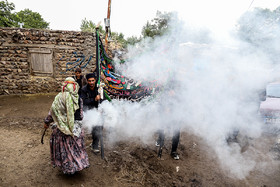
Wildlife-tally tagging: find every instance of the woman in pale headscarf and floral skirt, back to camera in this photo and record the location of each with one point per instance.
(67, 138)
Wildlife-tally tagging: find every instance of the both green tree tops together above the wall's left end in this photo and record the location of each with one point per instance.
(27, 17)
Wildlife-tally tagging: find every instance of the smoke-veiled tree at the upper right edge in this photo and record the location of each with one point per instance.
(261, 28)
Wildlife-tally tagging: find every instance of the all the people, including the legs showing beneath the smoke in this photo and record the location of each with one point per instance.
(67, 145)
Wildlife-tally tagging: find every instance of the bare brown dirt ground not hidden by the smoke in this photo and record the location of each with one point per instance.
(24, 161)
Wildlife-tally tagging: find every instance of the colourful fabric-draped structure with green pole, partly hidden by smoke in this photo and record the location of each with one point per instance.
(115, 85)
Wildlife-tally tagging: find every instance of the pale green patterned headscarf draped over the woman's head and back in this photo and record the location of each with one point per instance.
(64, 106)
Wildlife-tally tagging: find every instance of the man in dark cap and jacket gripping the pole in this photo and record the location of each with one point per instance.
(91, 98)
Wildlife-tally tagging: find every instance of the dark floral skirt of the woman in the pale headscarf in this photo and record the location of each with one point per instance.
(68, 152)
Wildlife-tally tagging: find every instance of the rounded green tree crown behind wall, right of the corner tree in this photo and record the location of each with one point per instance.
(31, 19)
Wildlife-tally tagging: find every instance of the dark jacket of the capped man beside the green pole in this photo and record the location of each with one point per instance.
(88, 97)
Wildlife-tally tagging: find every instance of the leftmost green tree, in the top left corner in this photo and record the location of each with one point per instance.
(7, 18)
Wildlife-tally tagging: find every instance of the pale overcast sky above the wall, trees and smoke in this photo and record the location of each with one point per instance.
(129, 16)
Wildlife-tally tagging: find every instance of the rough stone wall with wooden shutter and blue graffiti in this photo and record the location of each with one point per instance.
(37, 61)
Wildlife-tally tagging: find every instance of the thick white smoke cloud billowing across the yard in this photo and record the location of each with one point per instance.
(214, 92)
